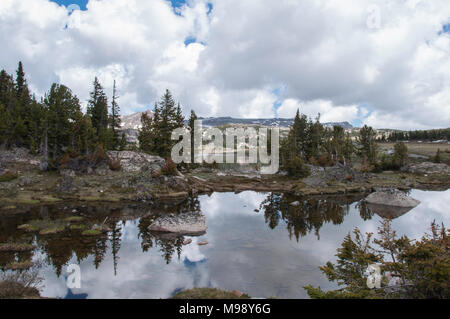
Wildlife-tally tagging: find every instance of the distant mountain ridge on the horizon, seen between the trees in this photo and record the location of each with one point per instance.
(133, 121)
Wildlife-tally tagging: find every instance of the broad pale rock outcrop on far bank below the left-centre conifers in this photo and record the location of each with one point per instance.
(137, 161)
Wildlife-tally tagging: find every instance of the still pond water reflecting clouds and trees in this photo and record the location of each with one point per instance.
(270, 253)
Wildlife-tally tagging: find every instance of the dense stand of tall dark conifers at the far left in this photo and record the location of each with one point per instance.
(55, 125)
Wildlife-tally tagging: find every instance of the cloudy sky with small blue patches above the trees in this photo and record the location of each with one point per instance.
(384, 63)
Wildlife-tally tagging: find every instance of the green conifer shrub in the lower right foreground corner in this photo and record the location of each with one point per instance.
(422, 267)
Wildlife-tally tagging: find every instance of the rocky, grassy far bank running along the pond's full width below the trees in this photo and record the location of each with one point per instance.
(140, 179)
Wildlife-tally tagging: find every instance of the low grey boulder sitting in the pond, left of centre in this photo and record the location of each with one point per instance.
(185, 223)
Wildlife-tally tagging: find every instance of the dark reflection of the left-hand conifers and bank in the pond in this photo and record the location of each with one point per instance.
(59, 248)
